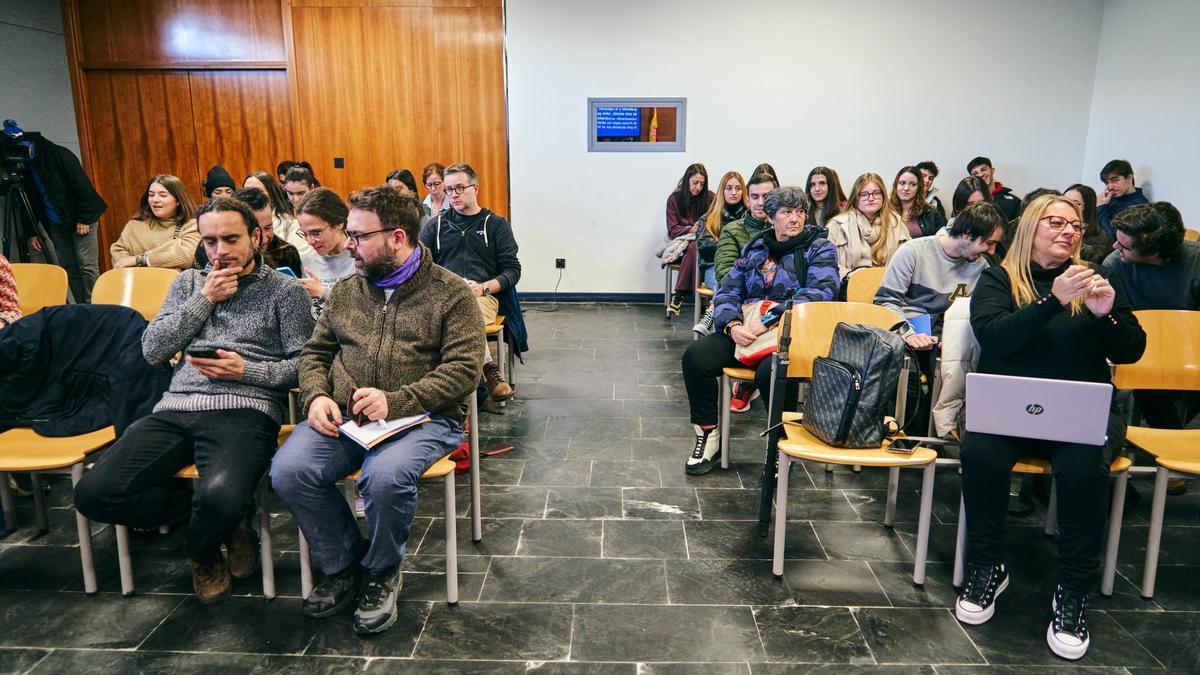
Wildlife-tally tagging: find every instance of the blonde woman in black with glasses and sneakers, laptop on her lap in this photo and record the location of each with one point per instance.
(1045, 314)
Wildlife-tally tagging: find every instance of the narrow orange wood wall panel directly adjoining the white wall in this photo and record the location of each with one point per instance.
(470, 86)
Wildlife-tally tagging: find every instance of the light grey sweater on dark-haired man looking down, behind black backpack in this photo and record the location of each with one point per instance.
(922, 280)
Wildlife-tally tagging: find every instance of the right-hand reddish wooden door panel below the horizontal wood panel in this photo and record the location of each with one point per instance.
(243, 121)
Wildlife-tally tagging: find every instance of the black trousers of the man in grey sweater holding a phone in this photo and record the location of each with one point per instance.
(130, 485)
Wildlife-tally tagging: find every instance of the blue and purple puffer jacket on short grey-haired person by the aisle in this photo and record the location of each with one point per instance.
(746, 283)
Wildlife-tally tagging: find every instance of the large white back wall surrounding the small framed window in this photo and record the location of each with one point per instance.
(867, 86)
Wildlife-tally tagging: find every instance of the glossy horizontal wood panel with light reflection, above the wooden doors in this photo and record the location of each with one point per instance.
(164, 33)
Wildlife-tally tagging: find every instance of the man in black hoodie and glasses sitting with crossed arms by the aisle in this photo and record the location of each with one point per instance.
(478, 246)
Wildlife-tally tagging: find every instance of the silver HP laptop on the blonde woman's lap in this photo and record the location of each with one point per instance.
(1033, 408)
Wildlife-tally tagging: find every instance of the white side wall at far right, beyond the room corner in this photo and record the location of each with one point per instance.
(1147, 103)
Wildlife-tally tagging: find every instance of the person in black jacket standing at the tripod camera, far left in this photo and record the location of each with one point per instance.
(65, 201)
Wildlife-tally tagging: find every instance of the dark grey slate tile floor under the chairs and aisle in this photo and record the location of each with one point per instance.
(601, 555)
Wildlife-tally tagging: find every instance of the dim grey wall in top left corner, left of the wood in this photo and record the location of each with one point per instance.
(35, 82)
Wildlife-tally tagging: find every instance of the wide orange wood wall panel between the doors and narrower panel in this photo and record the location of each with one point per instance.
(364, 92)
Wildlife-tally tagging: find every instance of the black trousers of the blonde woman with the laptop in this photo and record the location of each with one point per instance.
(1081, 475)
